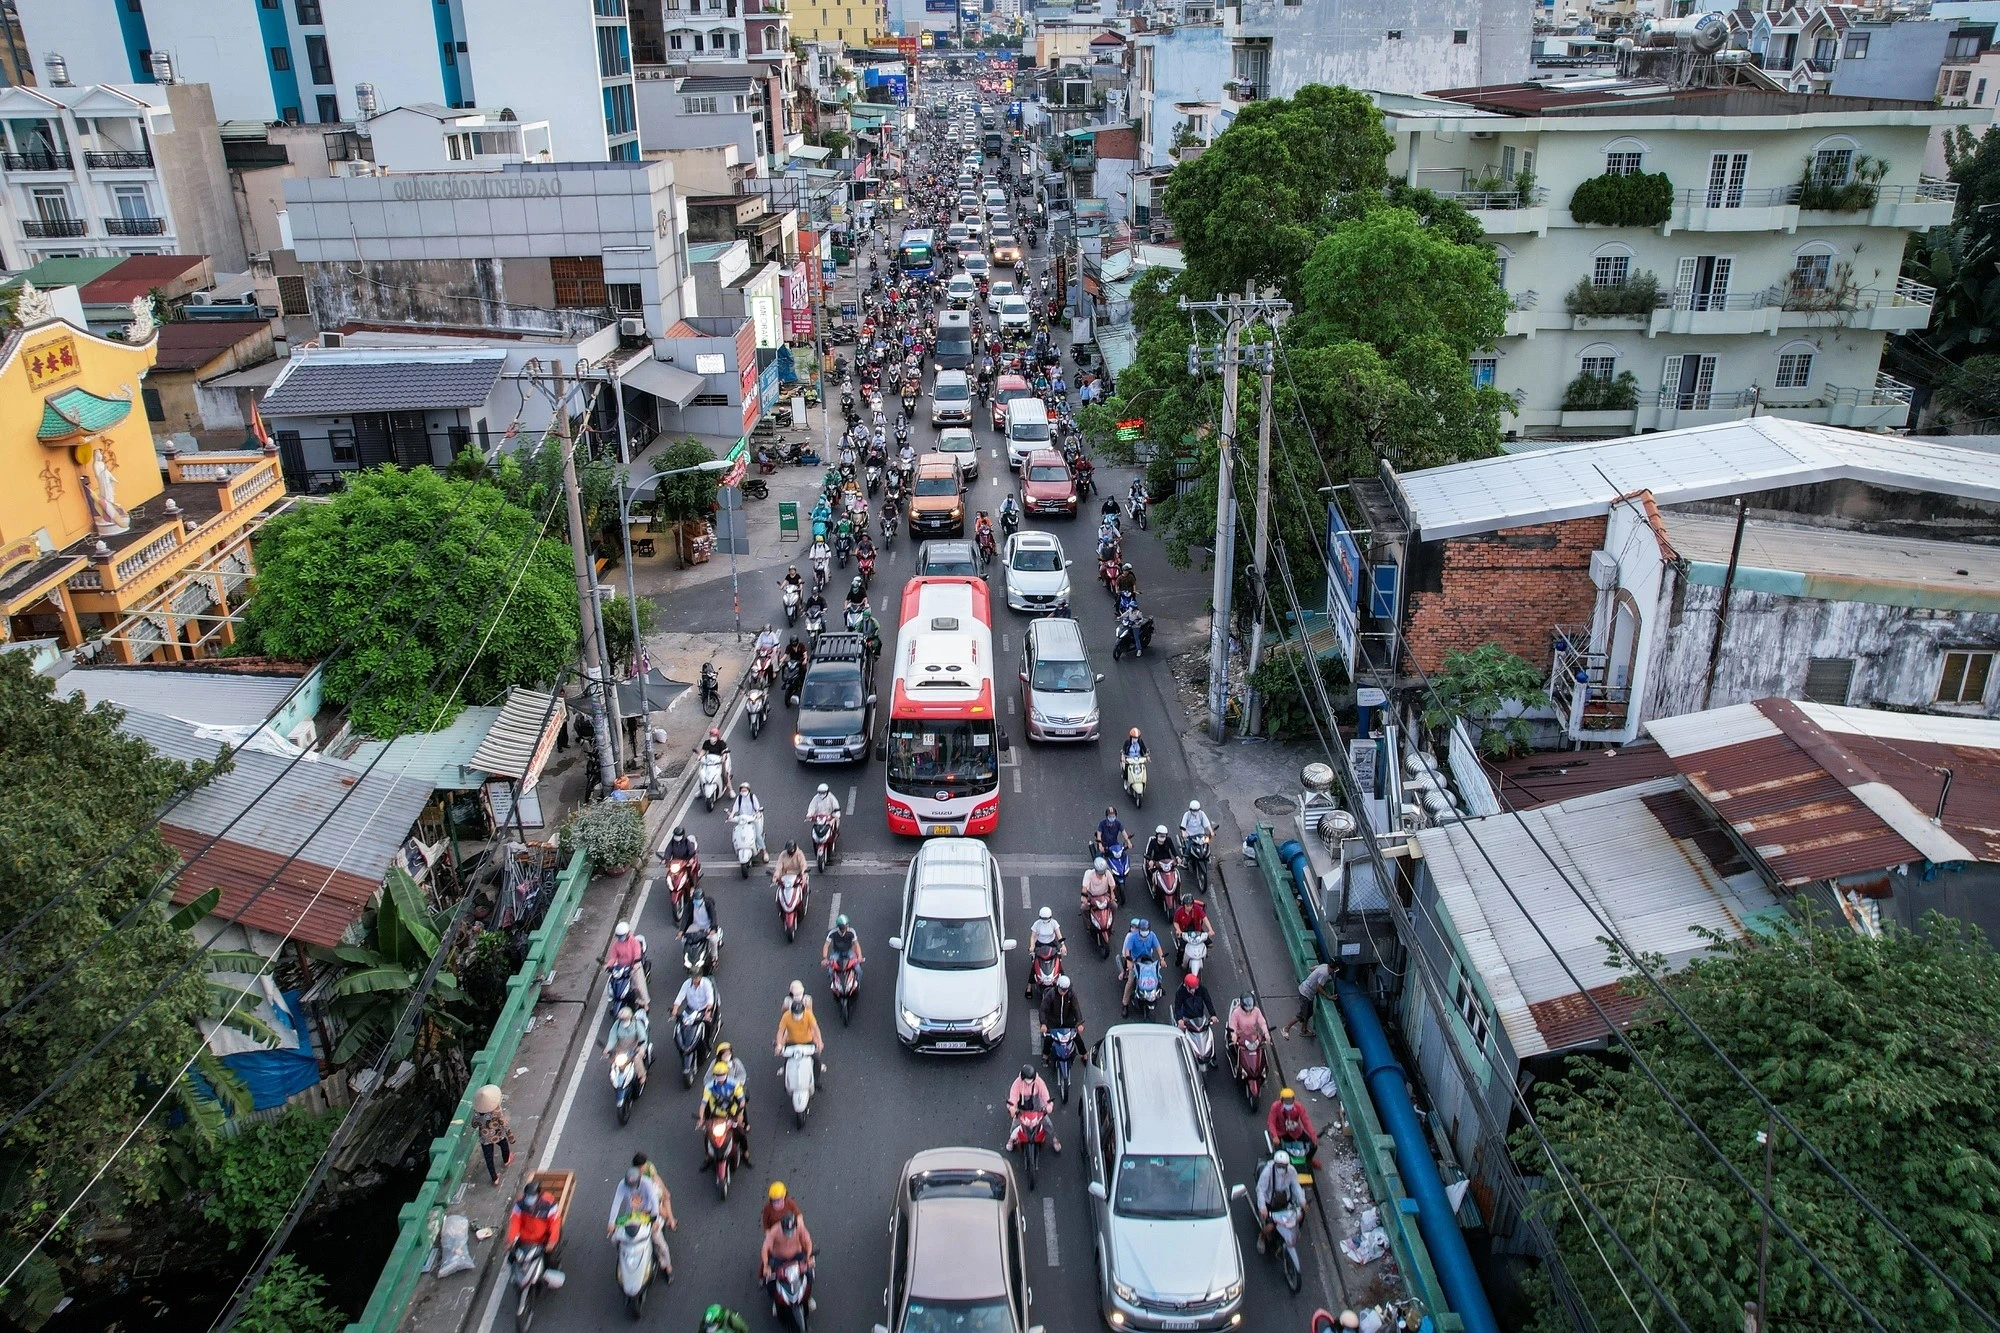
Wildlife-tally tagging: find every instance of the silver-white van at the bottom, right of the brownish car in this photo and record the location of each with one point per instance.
(1159, 1208)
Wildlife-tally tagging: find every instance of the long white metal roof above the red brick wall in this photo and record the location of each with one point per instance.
(1703, 463)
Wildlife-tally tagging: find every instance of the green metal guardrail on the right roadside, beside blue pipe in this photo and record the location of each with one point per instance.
(1375, 1148)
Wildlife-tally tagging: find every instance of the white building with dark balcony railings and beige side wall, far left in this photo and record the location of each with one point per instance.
(113, 171)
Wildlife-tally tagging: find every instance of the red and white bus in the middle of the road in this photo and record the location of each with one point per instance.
(943, 774)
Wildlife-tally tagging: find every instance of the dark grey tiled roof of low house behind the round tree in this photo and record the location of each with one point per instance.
(337, 381)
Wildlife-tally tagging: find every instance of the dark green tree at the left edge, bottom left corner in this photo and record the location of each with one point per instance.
(73, 792)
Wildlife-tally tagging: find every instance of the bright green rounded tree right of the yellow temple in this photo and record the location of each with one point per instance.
(373, 563)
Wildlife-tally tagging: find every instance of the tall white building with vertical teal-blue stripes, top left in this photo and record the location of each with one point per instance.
(559, 61)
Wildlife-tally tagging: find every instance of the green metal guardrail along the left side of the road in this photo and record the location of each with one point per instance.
(449, 1152)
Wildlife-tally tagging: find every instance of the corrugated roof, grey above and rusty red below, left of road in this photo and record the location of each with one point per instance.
(323, 894)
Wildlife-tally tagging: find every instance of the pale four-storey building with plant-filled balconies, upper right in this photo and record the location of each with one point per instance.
(1767, 283)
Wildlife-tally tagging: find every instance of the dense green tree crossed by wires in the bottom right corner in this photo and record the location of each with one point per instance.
(1879, 1050)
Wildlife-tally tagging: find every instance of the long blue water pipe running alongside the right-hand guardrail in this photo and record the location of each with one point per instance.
(1391, 1090)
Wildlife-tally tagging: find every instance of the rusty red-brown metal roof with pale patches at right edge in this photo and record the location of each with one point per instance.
(1819, 792)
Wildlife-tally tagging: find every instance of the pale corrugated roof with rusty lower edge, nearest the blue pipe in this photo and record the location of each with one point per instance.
(1655, 892)
